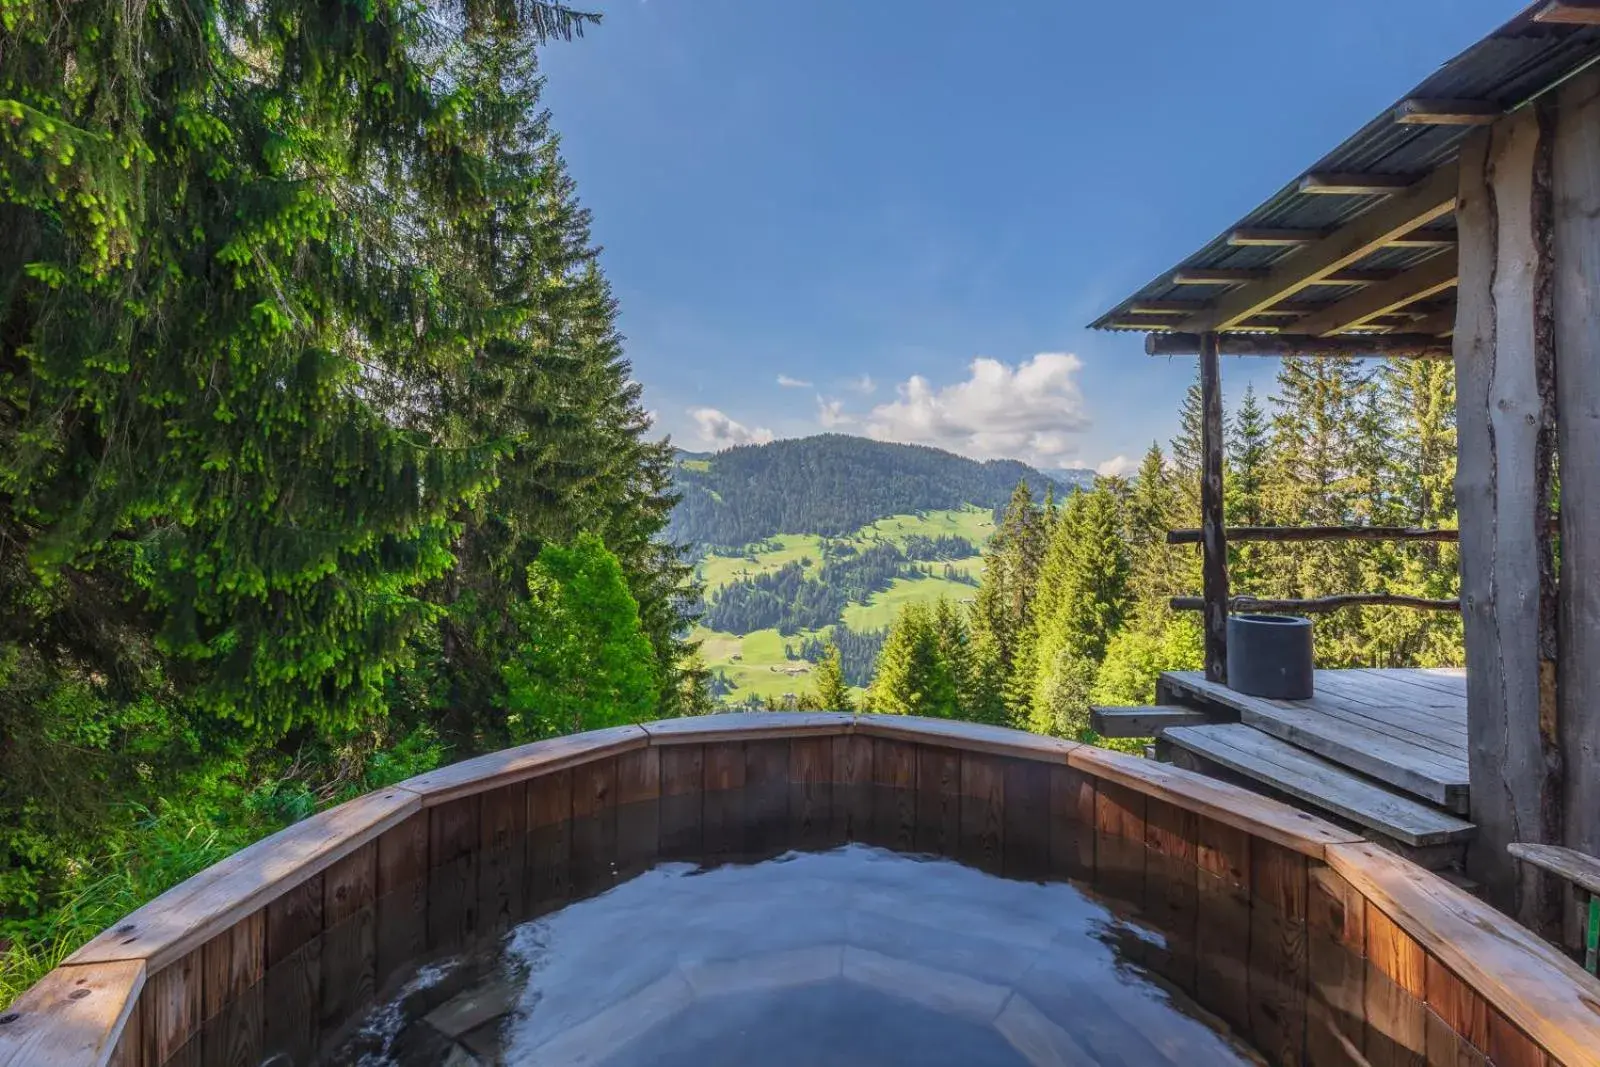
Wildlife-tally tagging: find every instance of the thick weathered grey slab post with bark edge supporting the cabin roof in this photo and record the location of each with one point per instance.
(1505, 414)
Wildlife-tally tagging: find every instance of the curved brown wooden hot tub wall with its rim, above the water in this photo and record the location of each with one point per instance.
(1305, 940)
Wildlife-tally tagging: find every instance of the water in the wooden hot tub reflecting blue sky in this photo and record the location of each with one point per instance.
(852, 956)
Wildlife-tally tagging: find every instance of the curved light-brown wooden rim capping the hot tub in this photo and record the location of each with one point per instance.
(79, 1013)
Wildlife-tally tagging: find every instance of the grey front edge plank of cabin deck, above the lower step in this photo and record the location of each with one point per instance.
(1386, 753)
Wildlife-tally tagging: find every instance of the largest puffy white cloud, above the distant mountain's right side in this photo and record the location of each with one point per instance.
(1031, 412)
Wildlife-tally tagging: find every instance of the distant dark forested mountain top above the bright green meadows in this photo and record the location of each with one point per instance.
(833, 486)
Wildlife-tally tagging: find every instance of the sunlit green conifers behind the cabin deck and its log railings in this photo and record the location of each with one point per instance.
(1074, 602)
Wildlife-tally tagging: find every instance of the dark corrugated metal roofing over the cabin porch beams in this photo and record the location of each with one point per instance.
(1510, 68)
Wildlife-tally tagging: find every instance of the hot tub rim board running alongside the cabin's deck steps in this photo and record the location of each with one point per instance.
(1226, 804)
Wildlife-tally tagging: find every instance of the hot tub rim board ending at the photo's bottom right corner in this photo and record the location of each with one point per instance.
(1532, 983)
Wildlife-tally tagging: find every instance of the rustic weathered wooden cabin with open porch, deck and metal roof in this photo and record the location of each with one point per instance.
(1460, 225)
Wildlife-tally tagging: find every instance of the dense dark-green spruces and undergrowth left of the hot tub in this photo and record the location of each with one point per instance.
(321, 462)
